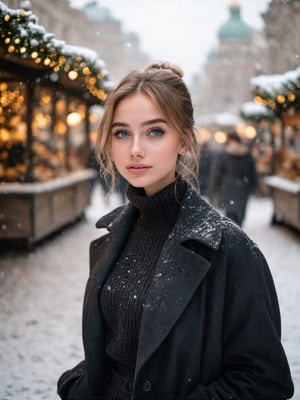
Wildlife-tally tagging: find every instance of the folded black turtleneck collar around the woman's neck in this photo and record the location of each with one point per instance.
(162, 208)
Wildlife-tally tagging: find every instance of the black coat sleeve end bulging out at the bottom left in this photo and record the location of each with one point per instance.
(73, 383)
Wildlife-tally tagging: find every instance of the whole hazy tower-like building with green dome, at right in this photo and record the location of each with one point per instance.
(225, 80)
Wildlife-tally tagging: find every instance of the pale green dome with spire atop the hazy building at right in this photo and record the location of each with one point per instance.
(235, 28)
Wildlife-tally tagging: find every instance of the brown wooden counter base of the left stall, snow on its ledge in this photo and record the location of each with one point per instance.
(32, 211)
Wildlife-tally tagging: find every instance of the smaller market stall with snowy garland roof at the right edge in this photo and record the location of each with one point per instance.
(280, 94)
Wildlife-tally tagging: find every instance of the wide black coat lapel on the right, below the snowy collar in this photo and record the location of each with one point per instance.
(178, 268)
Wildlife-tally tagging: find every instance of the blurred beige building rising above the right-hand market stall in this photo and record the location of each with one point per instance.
(282, 36)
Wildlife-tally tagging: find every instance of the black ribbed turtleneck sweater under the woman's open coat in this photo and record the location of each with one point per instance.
(125, 290)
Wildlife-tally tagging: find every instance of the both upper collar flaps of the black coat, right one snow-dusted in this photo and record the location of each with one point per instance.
(197, 220)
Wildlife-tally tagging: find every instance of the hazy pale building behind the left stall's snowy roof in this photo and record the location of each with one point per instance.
(94, 27)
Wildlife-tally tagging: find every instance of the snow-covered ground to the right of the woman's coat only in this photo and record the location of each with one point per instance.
(281, 247)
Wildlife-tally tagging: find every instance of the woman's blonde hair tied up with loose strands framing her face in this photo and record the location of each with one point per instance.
(163, 83)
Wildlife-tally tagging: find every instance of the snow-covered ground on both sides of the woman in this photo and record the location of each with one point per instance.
(41, 296)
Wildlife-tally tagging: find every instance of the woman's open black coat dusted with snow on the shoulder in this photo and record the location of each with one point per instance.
(212, 328)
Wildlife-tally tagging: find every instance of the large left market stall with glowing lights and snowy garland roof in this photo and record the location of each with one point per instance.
(47, 92)
